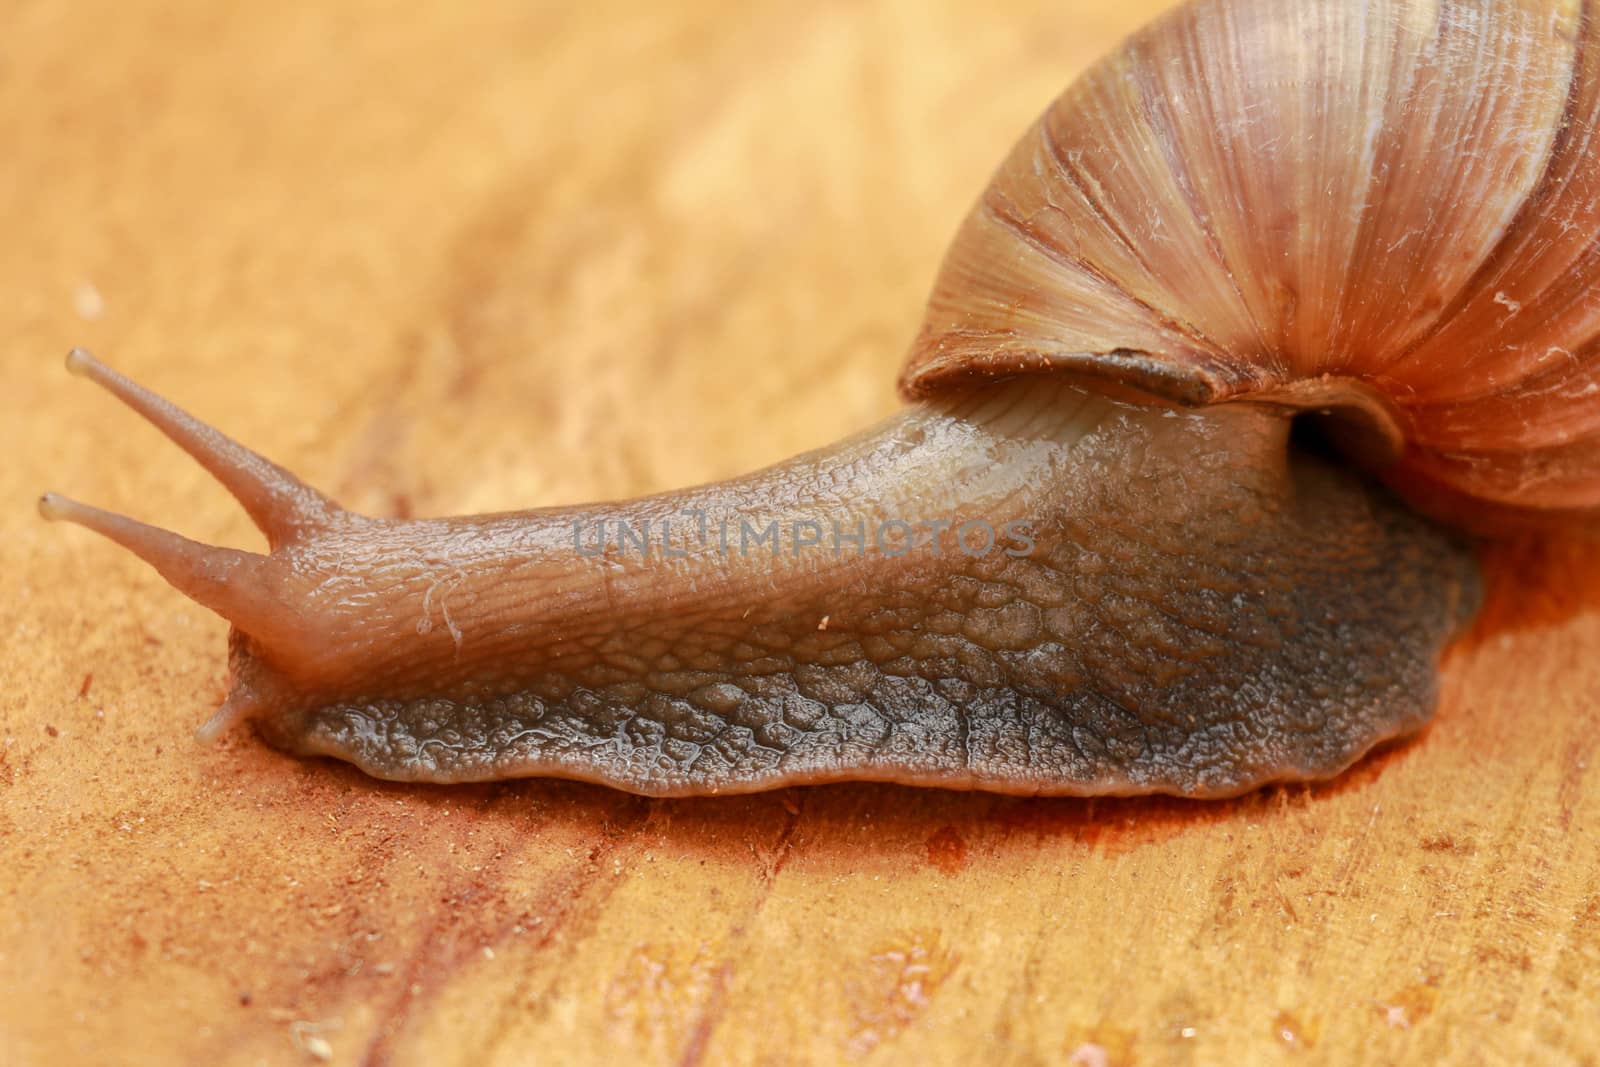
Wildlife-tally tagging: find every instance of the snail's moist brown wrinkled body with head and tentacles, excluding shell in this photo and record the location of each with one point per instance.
(1191, 604)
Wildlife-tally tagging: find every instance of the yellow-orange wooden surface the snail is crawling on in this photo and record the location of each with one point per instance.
(478, 257)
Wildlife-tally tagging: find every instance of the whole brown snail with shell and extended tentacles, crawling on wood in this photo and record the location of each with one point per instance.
(1268, 318)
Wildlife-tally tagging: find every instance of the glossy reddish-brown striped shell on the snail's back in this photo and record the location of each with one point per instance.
(1375, 204)
